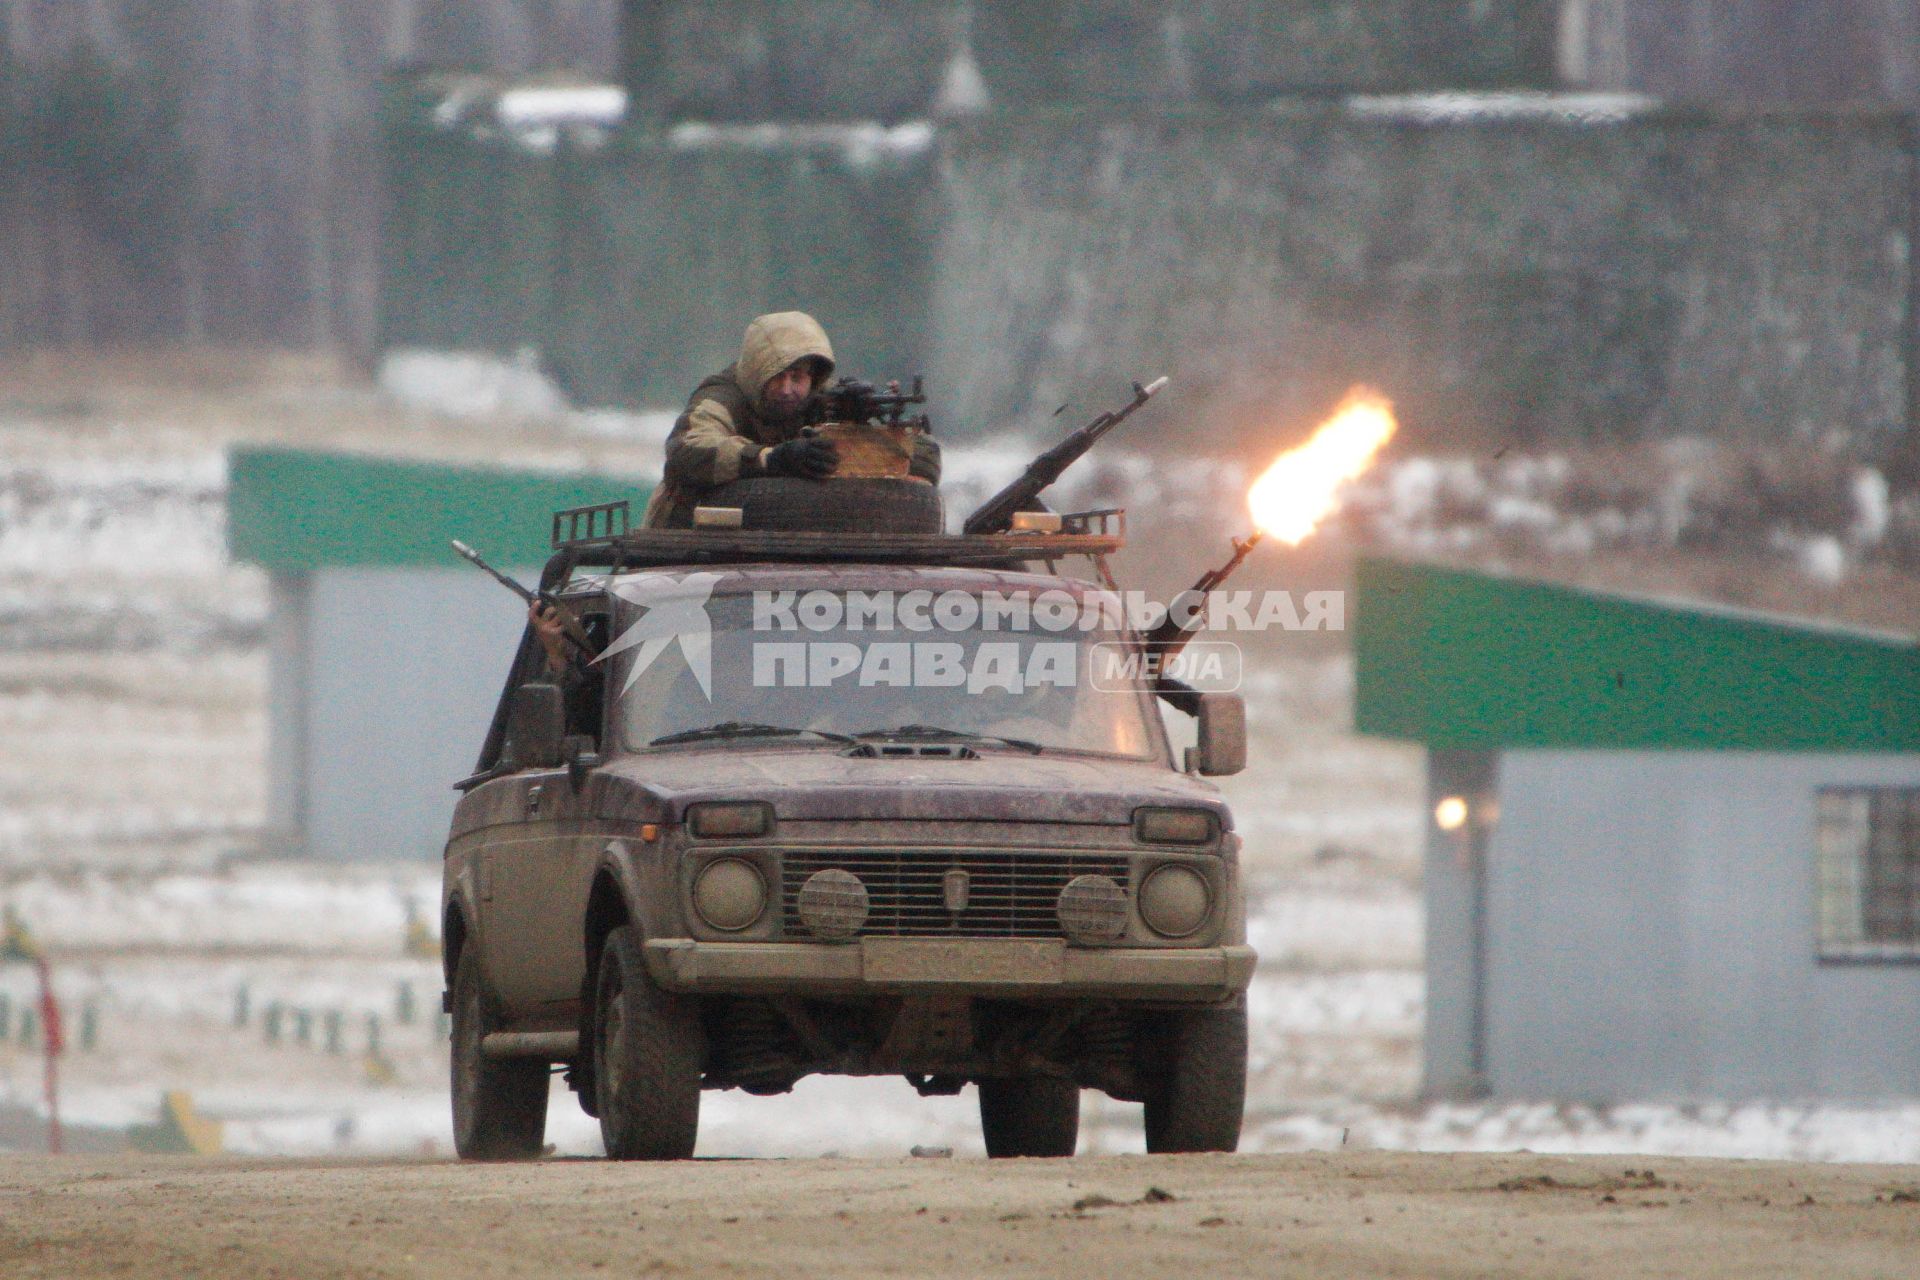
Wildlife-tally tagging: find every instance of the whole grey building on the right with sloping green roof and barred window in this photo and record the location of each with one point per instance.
(1675, 853)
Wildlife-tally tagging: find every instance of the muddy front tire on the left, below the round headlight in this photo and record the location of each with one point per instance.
(648, 1049)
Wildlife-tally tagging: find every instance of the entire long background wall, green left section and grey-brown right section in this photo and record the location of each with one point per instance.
(1554, 270)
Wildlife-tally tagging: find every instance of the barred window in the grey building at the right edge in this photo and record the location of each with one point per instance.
(1869, 849)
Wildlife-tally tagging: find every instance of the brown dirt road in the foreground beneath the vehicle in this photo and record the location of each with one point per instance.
(1299, 1216)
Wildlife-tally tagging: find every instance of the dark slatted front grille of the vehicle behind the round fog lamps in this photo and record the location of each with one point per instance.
(1009, 895)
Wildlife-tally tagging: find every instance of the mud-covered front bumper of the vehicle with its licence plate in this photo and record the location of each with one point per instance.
(1011, 968)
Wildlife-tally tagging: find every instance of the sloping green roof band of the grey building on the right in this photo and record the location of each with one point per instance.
(1466, 661)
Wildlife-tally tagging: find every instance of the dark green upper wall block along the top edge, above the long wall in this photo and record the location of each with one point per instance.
(853, 60)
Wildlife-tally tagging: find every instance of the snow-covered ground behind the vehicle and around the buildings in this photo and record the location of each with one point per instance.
(132, 774)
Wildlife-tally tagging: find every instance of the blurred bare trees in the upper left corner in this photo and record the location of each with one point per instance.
(214, 170)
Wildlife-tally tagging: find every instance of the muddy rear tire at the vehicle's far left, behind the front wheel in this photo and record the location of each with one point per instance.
(500, 1106)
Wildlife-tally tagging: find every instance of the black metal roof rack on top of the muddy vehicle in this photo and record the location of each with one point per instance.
(1082, 534)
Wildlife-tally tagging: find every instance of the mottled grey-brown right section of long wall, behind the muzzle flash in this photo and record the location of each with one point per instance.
(1510, 273)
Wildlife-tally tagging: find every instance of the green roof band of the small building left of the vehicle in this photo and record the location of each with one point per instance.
(293, 511)
